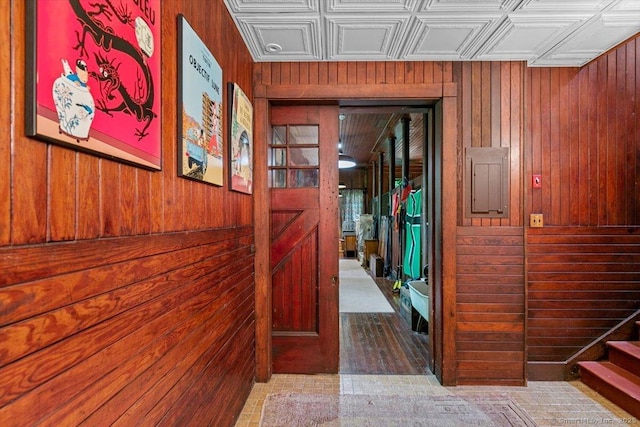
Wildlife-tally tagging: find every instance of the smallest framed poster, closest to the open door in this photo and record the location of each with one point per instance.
(240, 140)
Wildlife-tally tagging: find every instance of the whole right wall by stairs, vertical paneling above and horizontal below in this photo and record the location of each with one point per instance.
(583, 268)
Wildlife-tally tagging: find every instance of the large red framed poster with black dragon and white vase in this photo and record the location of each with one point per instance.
(93, 77)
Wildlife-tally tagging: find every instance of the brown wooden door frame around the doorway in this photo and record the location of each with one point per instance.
(445, 94)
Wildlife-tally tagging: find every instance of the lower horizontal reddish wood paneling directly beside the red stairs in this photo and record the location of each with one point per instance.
(582, 281)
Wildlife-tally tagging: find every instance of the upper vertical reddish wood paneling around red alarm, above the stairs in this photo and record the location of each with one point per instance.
(583, 137)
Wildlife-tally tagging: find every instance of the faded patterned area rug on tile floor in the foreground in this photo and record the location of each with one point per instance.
(355, 410)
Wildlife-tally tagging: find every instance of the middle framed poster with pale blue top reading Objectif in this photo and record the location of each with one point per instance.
(200, 149)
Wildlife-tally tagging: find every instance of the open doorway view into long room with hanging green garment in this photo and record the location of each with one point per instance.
(385, 205)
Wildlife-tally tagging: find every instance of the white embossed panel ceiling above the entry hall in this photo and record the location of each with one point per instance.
(541, 32)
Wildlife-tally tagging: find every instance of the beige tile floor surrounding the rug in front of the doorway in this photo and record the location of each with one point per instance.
(548, 403)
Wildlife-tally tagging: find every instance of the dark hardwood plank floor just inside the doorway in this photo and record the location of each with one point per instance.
(381, 343)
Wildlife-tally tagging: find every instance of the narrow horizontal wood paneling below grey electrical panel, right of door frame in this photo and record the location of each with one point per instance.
(490, 305)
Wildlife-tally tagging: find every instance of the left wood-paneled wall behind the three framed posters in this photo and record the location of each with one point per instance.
(126, 295)
